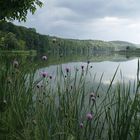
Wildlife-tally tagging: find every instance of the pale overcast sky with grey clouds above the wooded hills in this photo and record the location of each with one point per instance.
(88, 19)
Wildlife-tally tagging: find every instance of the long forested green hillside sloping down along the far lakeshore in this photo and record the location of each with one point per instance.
(14, 37)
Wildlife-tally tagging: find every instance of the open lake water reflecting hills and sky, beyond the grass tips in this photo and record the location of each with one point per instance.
(100, 63)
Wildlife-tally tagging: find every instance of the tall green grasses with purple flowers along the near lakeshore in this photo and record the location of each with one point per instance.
(35, 105)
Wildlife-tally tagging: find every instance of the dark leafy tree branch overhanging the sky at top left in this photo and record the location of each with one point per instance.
(17, 9)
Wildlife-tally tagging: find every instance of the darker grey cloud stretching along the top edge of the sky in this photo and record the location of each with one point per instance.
(101, 8)
